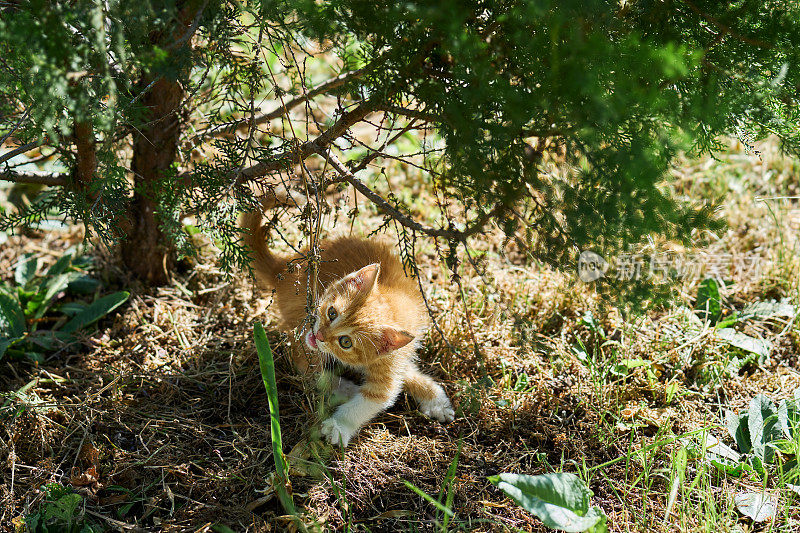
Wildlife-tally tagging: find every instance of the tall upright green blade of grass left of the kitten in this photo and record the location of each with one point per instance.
(267, 366)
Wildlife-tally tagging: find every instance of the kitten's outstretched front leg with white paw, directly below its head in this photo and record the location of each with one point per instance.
(373, 397)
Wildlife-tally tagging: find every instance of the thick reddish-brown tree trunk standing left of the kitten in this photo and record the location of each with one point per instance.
(146, 251)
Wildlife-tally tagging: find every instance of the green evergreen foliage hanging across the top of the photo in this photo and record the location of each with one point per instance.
(618, 88)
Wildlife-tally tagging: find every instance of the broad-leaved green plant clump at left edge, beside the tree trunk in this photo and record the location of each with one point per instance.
(52, 300)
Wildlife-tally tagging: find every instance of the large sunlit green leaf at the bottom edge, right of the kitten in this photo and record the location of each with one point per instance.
(561, 501)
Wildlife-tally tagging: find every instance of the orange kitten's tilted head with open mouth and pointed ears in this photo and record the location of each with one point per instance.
(352, 326)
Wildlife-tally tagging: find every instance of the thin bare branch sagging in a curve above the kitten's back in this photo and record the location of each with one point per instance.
(388, 209)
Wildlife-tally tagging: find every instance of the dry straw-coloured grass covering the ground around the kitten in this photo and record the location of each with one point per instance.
(160, 419)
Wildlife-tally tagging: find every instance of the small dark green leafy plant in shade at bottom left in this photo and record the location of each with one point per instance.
(60, 512)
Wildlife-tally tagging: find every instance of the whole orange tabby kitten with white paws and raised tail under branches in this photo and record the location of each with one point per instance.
(369, 316)
